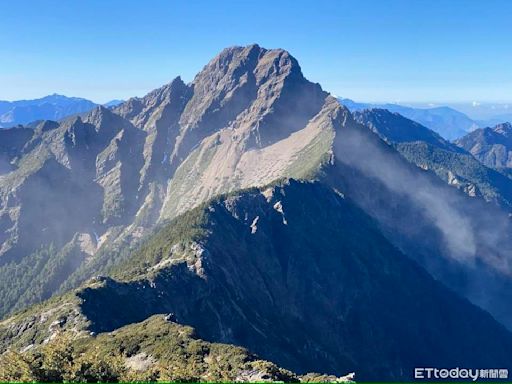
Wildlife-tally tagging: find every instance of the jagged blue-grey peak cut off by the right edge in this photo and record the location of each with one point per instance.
(492, 146)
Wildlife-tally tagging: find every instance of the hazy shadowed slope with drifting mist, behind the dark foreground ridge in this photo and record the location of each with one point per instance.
(462, 241)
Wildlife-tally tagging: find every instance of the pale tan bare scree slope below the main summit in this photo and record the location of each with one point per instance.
(222, 163)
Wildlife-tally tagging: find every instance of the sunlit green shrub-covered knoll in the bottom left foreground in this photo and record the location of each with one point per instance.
(154, 350)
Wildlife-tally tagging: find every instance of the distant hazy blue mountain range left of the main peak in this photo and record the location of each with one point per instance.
(52, 107)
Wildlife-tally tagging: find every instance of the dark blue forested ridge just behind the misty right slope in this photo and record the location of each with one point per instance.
(429, 151)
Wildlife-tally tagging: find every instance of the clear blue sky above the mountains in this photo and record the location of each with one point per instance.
(381, 50)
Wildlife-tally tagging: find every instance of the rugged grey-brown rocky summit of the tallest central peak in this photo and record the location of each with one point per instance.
(249, 88)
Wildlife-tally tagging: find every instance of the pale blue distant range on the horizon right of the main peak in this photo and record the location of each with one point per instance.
(448, 122)
